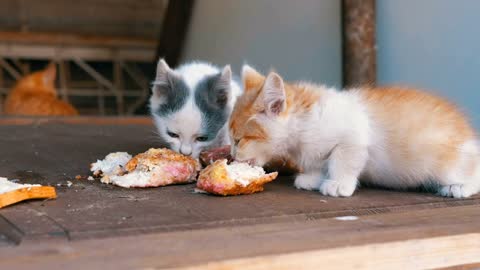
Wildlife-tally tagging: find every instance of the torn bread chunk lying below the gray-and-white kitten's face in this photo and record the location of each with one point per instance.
(154, 168)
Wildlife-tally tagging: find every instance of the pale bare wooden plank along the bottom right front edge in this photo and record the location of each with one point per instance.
(411, 254)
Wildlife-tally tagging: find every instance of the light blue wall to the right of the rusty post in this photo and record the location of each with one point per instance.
(433, 44)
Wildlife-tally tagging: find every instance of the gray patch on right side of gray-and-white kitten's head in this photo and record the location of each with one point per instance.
(213, 103)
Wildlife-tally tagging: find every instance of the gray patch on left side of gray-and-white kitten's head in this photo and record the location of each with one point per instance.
(175, 93)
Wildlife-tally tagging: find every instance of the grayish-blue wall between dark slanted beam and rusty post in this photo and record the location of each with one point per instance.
(301, 39)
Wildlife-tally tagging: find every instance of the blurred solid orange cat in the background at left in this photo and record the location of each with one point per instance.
(35, 95)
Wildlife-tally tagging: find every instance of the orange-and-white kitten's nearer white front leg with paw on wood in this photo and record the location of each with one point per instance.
(345, 165)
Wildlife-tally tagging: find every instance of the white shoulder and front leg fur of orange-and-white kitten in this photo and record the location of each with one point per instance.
(341, 130)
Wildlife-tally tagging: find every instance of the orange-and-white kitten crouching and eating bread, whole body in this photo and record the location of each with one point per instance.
(392, 137)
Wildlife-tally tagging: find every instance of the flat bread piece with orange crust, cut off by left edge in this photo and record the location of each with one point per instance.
(11, 193)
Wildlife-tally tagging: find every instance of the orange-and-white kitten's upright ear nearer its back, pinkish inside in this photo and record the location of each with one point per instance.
(274, 97)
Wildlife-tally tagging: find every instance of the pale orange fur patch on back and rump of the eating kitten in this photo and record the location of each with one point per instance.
(407, 112)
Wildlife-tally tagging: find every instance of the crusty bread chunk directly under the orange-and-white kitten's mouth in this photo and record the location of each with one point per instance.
(237, 178)
